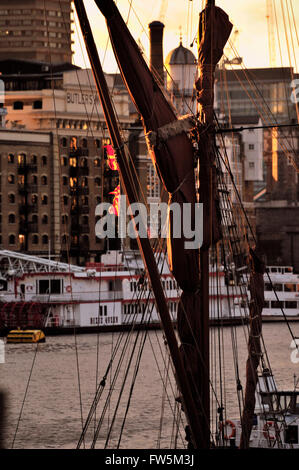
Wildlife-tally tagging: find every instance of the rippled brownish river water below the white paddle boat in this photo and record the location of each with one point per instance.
(63, 381)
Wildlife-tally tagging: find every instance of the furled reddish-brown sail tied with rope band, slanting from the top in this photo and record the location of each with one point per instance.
(170, 148)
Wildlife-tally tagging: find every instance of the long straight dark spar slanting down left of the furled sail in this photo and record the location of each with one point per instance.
(144, 244)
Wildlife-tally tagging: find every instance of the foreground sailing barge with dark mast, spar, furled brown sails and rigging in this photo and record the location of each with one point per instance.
(178, 147)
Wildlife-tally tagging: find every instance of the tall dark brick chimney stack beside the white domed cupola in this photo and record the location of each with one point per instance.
(156, 50)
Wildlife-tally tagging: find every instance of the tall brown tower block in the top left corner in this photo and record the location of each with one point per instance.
(36, 30)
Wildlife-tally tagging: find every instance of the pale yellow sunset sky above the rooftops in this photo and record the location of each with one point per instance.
(248, 17)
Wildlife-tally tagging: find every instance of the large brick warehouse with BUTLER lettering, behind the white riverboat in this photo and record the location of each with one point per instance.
(52, 159)
